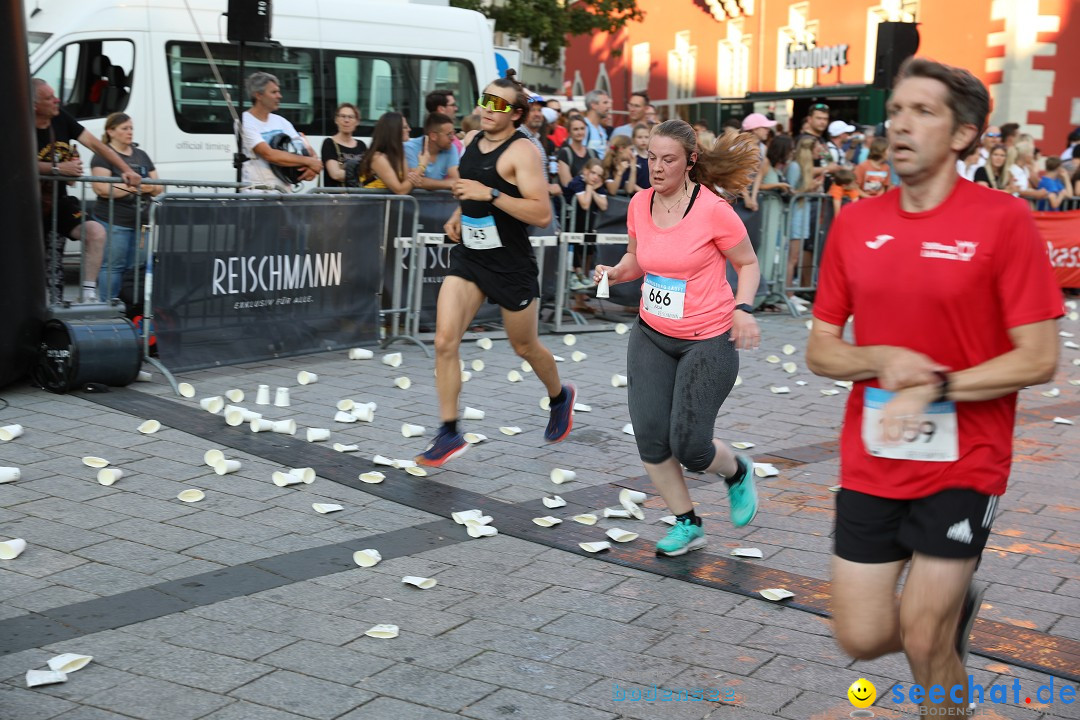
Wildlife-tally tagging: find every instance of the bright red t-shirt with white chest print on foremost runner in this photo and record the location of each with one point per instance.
(949, 283)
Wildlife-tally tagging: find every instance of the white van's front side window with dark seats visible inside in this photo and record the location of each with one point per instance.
(92, 78)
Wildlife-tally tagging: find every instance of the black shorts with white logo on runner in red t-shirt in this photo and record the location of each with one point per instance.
(952, 524)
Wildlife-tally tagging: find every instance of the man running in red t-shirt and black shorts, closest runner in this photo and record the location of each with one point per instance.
(954, 304)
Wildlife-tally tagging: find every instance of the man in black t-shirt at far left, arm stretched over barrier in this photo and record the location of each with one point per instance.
(58, 131)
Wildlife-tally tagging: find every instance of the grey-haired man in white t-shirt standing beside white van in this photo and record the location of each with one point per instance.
(261, 127)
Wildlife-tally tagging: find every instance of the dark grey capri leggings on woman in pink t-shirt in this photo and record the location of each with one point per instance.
(677, 389)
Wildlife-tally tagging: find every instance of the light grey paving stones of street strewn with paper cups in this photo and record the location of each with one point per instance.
(515, 629)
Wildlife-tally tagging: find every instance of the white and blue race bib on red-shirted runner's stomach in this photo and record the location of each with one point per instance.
(931, 437)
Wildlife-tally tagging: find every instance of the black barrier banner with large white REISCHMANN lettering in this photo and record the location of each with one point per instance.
(246, 278)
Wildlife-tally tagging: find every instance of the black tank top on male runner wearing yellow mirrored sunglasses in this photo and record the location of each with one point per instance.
(517, 251)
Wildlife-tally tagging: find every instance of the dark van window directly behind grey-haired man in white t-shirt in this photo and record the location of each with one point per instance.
(197, 99)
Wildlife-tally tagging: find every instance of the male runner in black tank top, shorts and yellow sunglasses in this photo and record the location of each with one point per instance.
(503, 191)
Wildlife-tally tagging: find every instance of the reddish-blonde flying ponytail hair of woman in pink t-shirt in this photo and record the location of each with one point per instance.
(730, 165)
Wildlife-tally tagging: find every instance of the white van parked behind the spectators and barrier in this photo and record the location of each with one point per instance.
(144, 58)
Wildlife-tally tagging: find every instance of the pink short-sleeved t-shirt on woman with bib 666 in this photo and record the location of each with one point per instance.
(686, 293)
